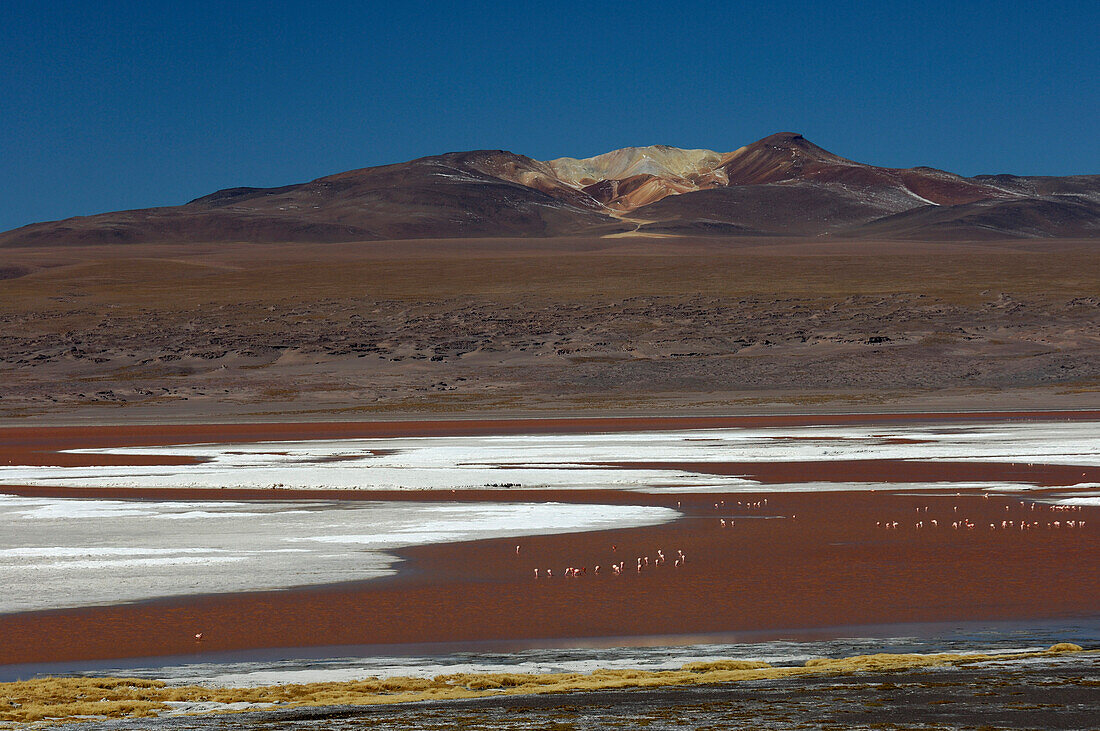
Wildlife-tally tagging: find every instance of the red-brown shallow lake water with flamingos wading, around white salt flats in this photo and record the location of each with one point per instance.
(804, 560)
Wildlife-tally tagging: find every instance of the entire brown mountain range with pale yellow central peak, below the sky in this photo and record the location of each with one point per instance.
(783, 185)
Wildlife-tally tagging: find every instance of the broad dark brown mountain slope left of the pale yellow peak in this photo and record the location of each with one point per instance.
(458, 195)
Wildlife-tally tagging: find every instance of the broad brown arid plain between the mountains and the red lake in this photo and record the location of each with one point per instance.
(502, 327)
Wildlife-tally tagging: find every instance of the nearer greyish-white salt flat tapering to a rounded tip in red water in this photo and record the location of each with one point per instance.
(53, 556)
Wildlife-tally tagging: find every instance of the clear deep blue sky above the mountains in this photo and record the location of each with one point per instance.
(111, 106)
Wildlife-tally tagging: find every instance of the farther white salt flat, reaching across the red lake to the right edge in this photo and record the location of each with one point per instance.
(573, 461)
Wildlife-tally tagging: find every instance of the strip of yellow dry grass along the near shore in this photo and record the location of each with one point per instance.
(68, 700)
